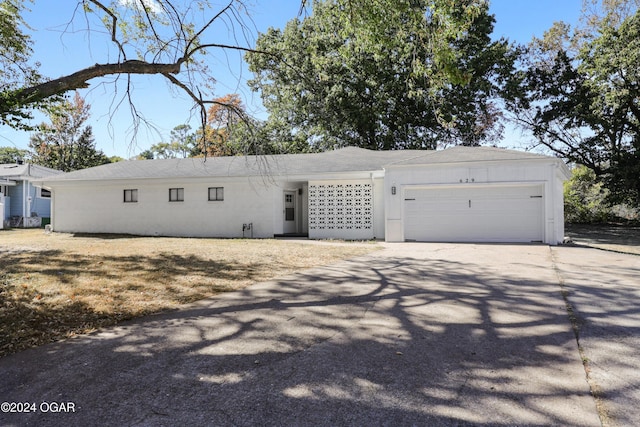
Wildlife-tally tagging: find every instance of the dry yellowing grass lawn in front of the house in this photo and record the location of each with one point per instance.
(54, 286)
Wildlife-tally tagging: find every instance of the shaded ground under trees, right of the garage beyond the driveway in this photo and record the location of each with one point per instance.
(613, 237)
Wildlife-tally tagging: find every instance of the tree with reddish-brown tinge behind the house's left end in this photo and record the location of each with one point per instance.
(66, 144)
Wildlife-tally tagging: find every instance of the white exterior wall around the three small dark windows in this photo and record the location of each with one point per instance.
(100, 208)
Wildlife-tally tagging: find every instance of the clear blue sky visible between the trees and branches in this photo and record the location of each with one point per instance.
(63, 49)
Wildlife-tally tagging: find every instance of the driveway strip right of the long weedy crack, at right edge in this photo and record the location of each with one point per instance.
(603, 291)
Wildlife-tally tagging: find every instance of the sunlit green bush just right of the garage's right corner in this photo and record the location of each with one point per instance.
(585, 199)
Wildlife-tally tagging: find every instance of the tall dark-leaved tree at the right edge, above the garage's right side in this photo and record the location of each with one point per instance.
(580, 100)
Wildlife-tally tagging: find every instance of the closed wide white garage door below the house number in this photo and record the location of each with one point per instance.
(474, 214)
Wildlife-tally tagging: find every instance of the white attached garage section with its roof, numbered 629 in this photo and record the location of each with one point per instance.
(475, 194)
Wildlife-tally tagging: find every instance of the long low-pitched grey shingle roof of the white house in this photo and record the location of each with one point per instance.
(349, 159)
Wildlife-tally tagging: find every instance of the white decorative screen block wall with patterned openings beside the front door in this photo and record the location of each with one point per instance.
(341, 210)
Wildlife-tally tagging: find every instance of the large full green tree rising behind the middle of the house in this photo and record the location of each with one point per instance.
(392, 75)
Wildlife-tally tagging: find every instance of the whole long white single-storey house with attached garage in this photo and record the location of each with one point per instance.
(475, 194)
